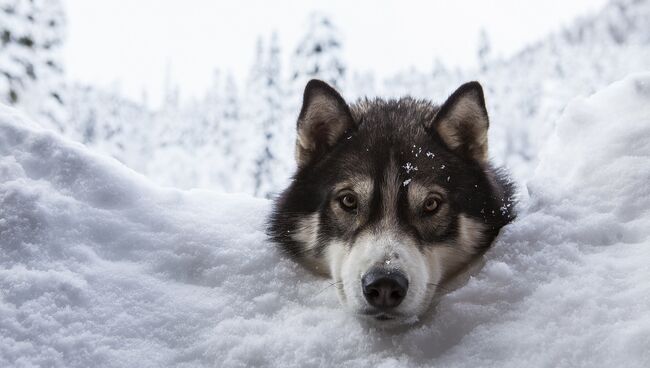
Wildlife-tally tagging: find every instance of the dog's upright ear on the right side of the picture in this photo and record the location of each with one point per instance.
(462, 122)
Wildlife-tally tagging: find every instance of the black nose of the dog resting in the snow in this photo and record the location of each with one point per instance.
(384, 289)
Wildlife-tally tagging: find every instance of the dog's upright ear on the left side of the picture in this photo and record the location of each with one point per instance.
(323, 119)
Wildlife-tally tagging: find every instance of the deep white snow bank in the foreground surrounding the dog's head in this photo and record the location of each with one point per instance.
(99, 267)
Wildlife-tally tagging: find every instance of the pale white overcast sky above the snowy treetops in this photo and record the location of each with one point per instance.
(134, 46)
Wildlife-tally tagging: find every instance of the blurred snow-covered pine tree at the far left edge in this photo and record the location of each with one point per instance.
(31, 73)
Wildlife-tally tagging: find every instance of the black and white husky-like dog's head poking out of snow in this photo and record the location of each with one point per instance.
(391, 199)
